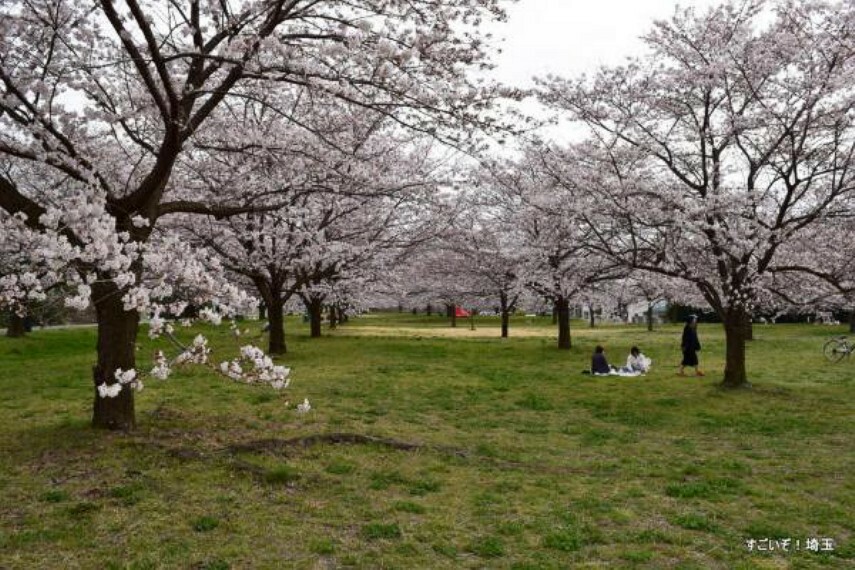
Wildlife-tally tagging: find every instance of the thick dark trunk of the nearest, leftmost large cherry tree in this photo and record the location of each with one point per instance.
(117, 336)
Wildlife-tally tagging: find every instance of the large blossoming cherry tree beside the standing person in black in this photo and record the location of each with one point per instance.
(723, 145)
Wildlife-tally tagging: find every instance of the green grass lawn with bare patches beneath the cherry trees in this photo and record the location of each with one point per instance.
(481, 453)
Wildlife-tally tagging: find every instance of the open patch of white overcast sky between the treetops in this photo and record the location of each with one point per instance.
(568, 37)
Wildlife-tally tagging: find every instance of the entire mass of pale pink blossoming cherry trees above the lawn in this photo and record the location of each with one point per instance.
(160, 155)
